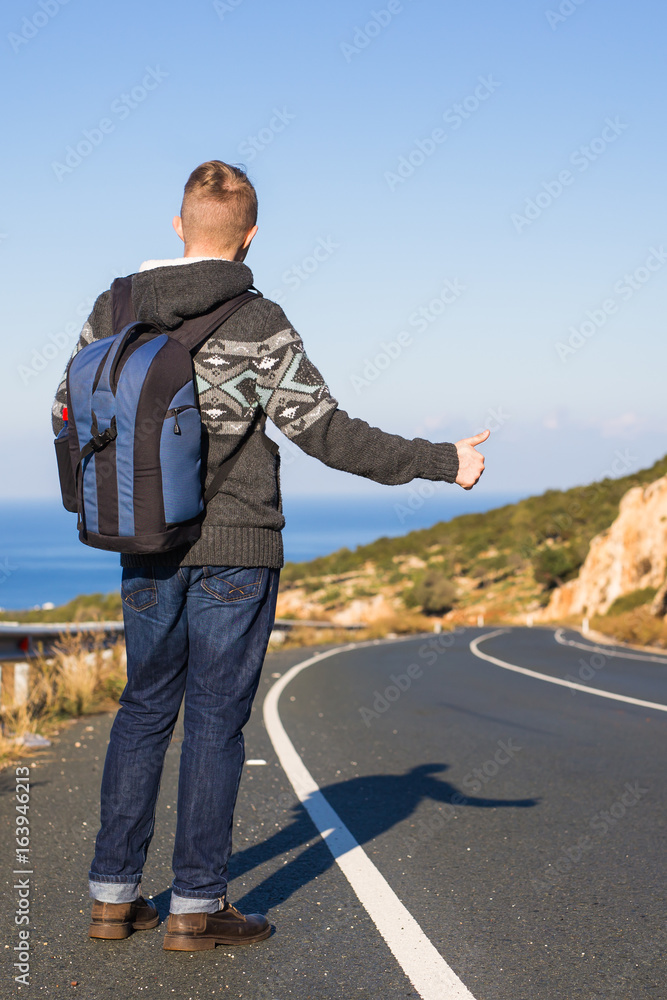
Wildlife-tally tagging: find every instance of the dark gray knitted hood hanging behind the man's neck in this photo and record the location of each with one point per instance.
(167, 295)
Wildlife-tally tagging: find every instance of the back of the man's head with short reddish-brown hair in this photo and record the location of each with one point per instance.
(219, 206)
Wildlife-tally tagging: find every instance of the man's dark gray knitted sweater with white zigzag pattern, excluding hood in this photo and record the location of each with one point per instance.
(256, 365)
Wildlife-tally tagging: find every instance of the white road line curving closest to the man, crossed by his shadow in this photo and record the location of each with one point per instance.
(422, 963)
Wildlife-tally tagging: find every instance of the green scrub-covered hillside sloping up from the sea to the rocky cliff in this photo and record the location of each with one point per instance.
(504, 561)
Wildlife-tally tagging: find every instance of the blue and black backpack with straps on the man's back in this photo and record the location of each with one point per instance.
(129, 453)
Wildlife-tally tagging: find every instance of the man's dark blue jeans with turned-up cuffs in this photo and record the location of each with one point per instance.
(202, 633)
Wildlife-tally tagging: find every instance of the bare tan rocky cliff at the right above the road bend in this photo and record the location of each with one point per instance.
(628, 556)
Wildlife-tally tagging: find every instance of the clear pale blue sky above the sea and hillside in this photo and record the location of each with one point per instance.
(484, 182)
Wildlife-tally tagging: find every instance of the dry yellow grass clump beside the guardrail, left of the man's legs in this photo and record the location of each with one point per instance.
(81, 676)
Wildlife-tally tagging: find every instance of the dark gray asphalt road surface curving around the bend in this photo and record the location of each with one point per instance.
(522, 825)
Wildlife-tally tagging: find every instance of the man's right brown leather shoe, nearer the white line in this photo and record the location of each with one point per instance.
(198, 931)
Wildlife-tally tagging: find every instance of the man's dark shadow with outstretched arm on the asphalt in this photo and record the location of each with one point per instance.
(369, 806)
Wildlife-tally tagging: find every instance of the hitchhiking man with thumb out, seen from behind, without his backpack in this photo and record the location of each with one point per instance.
(198, 619)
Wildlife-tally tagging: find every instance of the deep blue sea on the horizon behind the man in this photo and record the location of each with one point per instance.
(43, 563)
